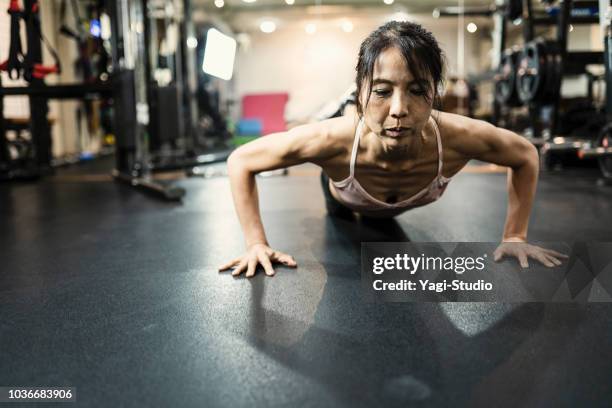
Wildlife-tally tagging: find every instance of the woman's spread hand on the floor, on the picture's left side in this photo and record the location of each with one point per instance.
(258, 254)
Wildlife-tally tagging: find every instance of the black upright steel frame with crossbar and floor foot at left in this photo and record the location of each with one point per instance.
(126, 86)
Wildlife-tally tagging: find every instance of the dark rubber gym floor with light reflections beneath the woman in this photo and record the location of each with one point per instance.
(116, 293)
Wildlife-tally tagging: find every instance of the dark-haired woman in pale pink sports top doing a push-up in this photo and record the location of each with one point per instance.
(395, 153)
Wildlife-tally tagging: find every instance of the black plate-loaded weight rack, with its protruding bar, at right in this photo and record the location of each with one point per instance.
(505, 11)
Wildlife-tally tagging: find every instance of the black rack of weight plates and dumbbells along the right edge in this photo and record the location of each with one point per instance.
(547, 62)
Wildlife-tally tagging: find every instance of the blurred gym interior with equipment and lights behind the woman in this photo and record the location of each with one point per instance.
(206, 76)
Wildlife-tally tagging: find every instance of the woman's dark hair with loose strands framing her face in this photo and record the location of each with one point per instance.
(420, 49)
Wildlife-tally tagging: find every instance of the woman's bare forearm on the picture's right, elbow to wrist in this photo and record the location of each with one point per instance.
(522, 183)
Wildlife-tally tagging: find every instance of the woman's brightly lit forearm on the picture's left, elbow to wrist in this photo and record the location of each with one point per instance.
(246, 202)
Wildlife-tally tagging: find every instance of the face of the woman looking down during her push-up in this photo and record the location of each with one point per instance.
(398, 108)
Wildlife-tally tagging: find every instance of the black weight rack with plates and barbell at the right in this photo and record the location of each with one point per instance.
(531, 75)
